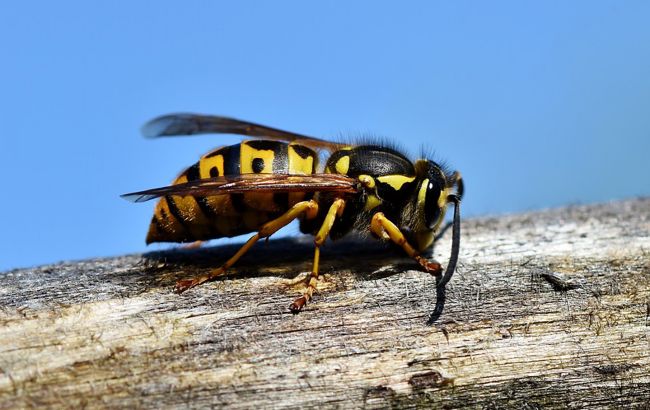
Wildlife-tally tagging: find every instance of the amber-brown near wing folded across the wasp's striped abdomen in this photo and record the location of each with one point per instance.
(252, 182)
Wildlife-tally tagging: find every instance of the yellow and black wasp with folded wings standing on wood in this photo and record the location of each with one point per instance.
(262, 184)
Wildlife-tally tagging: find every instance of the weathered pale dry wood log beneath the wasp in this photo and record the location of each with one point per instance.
(547, 309)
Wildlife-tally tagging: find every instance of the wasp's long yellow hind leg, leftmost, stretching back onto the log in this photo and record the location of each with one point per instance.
(308, 208)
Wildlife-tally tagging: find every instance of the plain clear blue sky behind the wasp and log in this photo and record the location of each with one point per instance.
(539, 104)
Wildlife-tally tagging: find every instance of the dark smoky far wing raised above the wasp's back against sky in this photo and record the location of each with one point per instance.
(190, 124)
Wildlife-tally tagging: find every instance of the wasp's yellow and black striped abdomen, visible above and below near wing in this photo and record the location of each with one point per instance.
(191, 218)
